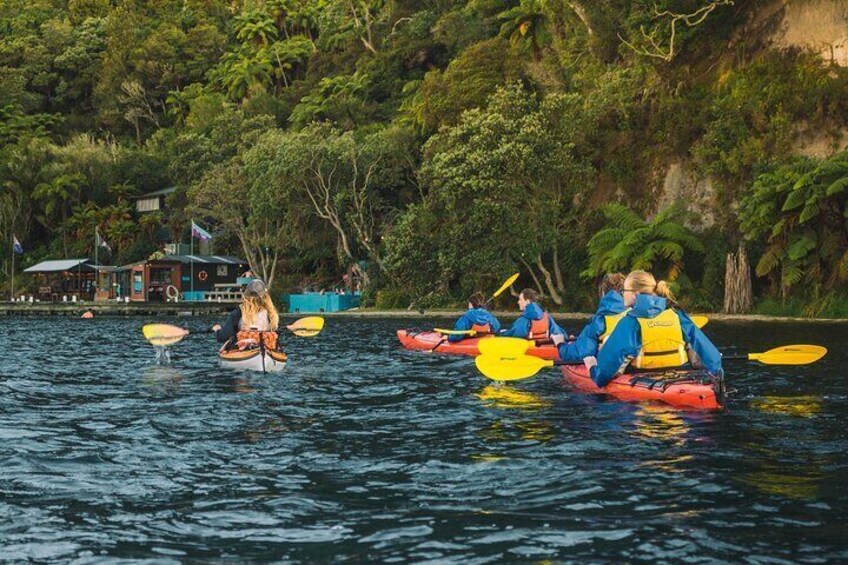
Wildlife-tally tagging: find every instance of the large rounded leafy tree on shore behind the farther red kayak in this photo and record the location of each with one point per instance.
(510, 171)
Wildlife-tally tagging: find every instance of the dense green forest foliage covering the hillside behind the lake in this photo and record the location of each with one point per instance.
(431, 148)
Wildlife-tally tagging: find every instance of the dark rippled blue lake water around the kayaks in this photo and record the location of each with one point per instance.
(362, 452)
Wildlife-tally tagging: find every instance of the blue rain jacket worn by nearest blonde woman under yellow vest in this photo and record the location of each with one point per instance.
(625, 341)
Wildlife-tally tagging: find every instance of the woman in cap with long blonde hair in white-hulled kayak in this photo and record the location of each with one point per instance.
(256, 313)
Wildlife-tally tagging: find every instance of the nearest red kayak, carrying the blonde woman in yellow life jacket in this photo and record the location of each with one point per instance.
(678, 387)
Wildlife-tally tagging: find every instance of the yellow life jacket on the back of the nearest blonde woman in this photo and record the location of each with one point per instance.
(663, 345)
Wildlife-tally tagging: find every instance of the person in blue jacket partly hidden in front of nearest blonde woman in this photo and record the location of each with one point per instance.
(610, 310)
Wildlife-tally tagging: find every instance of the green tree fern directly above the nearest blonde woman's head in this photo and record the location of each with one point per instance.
(628, 242)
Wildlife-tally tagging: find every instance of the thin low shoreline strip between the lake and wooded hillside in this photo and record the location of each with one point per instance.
(210, 308)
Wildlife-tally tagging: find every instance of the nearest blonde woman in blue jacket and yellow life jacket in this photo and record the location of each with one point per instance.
(654, 334)
